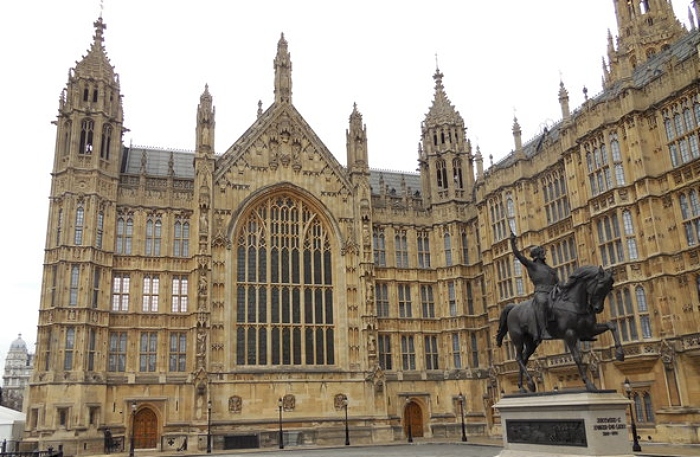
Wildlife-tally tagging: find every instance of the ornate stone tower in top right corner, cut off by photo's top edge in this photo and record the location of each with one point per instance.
(644, 27)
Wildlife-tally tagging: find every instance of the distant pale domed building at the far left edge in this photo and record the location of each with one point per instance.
(18, 367)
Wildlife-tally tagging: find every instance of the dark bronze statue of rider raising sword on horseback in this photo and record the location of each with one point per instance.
(557, 311)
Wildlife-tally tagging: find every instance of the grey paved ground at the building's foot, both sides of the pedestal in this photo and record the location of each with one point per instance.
(475, 447)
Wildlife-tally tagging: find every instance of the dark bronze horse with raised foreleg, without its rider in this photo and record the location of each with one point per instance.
(573, 318)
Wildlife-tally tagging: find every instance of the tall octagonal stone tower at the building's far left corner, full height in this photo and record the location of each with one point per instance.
(79, 251)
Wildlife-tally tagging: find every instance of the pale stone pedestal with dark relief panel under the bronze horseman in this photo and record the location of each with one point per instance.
(565, 424)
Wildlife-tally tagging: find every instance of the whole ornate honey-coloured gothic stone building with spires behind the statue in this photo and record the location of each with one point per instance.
(261, 294)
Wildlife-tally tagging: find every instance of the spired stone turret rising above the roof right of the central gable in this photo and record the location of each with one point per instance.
(445, 159)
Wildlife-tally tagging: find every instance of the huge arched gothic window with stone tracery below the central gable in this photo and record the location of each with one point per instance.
(284, 285)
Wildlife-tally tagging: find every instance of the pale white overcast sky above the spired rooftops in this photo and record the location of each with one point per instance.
(499, 59)
